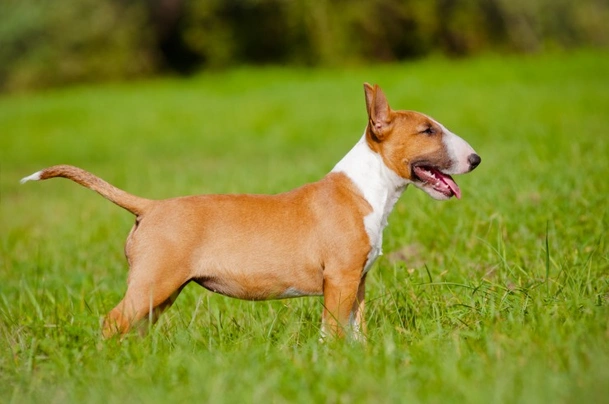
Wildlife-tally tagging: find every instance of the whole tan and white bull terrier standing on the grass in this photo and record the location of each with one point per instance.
(319, 239)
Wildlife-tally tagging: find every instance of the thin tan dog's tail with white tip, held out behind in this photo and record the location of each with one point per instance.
(132, 203)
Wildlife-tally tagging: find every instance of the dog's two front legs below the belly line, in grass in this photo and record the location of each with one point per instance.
(343, 307)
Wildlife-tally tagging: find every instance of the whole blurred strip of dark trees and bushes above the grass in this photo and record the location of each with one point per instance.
(45, 43)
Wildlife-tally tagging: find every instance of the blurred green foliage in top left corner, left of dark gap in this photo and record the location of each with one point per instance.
(48, 43)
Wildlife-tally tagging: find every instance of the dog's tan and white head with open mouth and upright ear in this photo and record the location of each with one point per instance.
(416, 147)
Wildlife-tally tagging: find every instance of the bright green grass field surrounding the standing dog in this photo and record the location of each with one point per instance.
(502, 296)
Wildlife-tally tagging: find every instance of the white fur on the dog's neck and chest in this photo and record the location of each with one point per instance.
(380, 186)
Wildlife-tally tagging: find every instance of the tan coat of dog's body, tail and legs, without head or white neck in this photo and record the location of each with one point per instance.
(251, 247)
